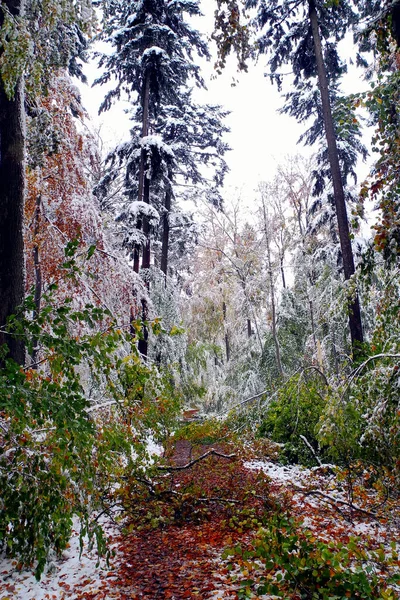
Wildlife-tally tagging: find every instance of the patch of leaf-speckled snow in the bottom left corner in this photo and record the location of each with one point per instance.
(61, 575)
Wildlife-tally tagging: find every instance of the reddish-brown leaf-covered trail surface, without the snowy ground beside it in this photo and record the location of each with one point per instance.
(181, 560)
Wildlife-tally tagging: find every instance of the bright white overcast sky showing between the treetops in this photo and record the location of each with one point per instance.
(260, 137)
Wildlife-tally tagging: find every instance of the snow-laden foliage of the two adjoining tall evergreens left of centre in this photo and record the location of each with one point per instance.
(172, 139)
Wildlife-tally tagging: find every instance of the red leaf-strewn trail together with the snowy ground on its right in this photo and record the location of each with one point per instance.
(183, 560)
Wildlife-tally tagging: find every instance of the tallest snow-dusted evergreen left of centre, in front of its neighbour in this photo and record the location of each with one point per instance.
(151, 63)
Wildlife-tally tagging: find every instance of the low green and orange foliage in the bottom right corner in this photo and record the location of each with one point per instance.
(294, 564)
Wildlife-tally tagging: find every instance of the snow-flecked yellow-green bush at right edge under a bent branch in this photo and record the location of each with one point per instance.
(361, 418)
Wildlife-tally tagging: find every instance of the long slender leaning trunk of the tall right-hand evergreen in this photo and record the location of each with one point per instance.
(340, 203)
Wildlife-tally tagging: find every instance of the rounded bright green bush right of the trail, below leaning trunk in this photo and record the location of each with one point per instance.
(295, 412)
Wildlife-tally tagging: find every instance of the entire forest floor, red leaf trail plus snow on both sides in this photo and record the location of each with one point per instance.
(212, 504)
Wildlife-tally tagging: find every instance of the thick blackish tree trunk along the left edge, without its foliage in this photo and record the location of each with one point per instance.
(12, 191)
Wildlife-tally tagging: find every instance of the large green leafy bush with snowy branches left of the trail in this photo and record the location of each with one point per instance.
(60, 455)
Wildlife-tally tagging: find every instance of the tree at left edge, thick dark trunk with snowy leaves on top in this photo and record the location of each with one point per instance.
(35, 38)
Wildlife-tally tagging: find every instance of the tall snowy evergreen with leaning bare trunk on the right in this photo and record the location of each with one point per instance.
(304, 34)
